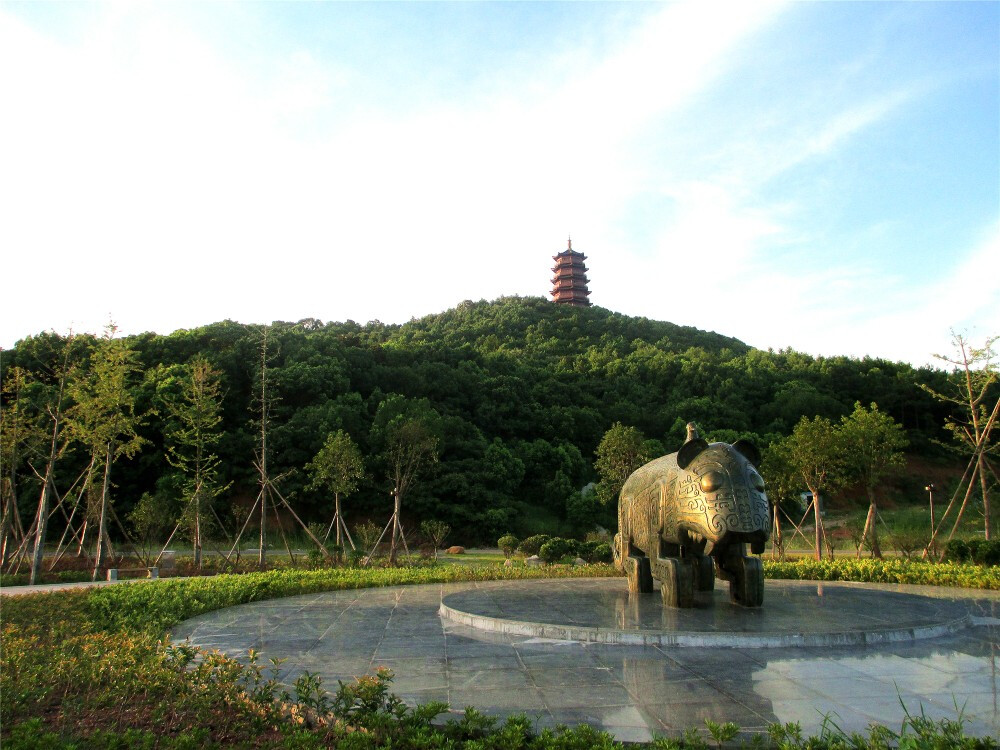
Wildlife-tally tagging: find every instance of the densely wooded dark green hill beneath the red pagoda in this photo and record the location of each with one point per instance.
(520, 390)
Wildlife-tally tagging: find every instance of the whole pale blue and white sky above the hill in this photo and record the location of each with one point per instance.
(823, 176)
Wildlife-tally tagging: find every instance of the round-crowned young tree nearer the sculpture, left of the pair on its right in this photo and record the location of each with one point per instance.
(815, 452)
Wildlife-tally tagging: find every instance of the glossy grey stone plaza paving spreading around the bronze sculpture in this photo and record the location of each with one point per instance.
(636, 692)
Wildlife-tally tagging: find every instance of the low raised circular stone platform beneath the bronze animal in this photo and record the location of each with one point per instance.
(795, 613)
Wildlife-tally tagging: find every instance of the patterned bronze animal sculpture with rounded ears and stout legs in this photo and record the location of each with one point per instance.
(686, 518)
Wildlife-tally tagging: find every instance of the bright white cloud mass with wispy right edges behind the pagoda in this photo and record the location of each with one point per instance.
(170, 184)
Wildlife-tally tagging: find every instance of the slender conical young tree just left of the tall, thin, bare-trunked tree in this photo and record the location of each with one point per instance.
(195, 410)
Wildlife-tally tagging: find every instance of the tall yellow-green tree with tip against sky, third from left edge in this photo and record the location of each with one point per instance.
(104, 419)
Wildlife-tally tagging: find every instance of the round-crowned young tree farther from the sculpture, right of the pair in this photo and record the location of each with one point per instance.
(873, 445)
